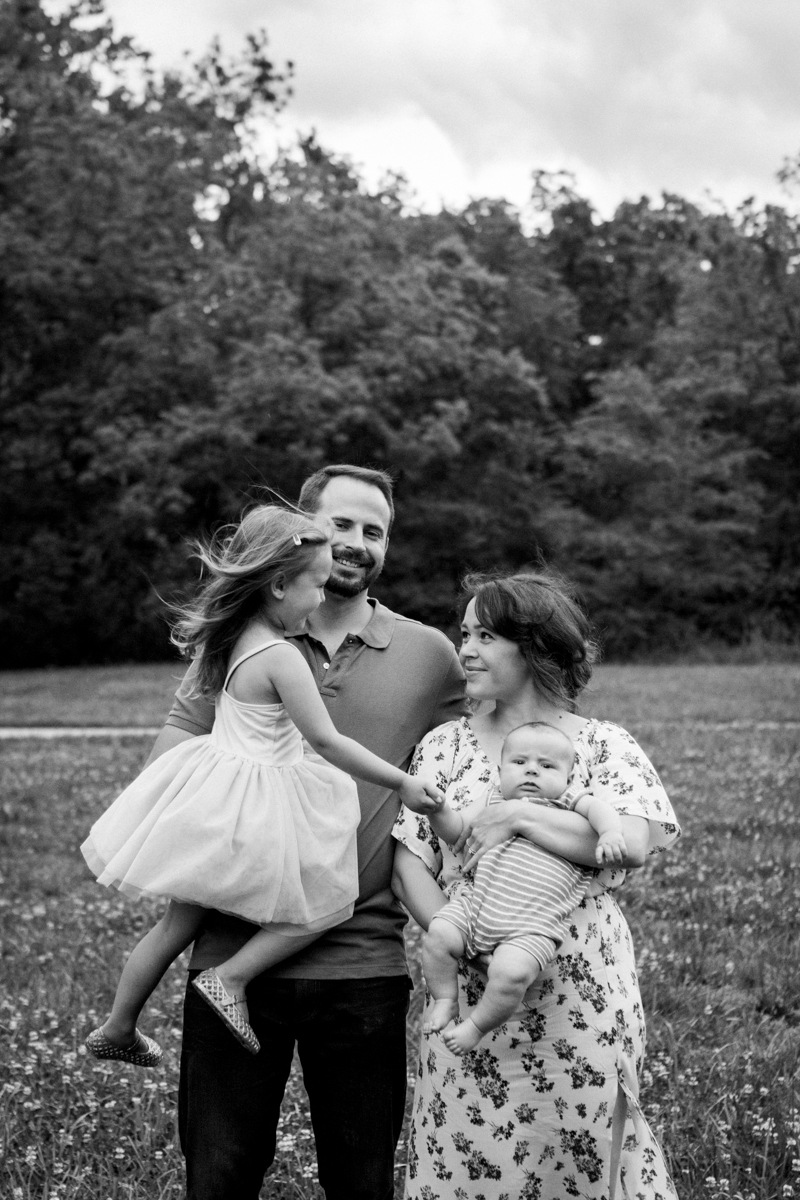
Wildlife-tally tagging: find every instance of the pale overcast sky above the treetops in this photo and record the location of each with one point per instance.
(467, 98)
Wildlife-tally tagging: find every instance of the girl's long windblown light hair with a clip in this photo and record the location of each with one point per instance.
(243, 561)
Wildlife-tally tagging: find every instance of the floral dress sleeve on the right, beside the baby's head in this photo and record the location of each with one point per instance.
(621, 773)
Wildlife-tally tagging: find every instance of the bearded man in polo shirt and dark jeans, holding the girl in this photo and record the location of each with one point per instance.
(386, 681)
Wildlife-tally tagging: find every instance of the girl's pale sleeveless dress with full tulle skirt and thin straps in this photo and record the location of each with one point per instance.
(246, 820)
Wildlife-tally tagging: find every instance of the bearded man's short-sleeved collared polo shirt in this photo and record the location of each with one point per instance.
(387, 688)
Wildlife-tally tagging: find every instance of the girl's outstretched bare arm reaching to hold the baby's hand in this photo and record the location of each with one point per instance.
(292, 679)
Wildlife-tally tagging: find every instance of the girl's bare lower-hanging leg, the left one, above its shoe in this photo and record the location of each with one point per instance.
(146, 967)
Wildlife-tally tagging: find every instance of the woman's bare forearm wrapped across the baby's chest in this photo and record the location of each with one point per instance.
(563, 833)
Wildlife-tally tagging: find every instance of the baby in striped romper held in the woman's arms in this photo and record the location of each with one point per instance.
(522, 893)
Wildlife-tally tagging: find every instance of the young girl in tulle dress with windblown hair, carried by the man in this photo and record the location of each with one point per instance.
(244, 820)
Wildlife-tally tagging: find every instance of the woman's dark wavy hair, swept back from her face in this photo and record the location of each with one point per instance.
(540, 614)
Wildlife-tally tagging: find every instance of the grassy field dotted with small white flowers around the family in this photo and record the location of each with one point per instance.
(717, 926)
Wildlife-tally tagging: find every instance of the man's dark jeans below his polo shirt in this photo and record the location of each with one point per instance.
(351, 1037)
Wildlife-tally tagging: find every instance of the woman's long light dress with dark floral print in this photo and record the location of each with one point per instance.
(528, 1114)
